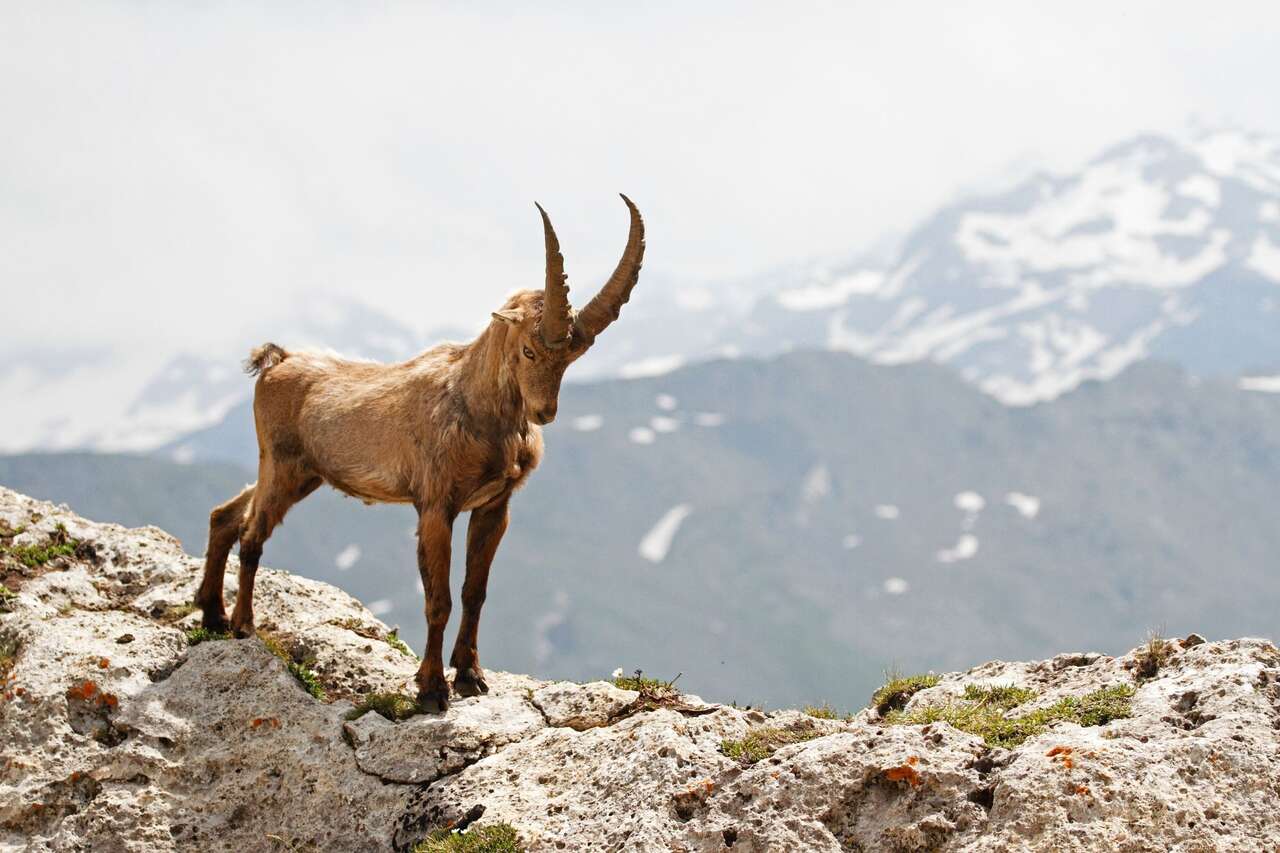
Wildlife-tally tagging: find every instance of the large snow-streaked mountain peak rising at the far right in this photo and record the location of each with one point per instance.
(1158, 248)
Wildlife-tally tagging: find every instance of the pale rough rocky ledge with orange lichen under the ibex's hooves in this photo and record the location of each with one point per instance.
(121, 731)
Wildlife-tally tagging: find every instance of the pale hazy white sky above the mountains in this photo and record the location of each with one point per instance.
(172, 168)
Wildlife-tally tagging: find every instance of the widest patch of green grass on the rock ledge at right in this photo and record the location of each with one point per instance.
(982, 713)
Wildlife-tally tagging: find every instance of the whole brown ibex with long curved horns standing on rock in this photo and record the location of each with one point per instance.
(454, 430)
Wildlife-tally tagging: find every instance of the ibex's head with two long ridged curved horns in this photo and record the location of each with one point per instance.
(546, 335)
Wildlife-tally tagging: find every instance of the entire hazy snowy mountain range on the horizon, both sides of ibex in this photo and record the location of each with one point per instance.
(1163, 247)
